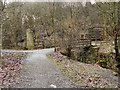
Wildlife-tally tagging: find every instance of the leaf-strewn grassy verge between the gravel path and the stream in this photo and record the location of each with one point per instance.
(83, 75)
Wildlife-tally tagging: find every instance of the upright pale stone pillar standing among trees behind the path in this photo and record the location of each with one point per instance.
(29, 39)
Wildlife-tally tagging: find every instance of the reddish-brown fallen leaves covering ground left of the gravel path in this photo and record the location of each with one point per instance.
(11, 64)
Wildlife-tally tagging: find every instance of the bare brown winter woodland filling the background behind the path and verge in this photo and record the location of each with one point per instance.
(88, 33)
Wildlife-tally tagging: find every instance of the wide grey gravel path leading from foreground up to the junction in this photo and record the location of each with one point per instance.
(40, 72)
